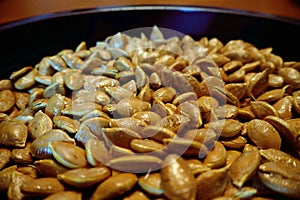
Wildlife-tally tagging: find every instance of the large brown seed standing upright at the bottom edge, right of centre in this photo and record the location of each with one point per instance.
(178, 181)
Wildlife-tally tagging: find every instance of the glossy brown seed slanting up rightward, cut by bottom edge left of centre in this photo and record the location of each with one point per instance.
(115, 186)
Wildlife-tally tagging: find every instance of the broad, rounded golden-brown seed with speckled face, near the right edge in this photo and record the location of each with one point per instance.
(263, 134)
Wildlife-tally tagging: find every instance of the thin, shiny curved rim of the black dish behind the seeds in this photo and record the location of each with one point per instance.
(183, 8)
